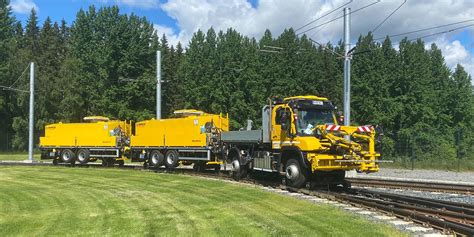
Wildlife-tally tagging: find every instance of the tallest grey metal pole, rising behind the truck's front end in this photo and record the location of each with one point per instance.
(347, 67)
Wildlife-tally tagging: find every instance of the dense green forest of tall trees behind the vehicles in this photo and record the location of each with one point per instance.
(104, 63)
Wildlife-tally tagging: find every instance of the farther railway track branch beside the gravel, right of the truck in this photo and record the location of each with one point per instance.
(416, 185)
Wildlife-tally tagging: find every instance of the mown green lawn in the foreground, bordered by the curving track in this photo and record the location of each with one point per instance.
(93, 201)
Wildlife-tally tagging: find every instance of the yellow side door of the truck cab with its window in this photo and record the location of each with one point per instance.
(280, 115)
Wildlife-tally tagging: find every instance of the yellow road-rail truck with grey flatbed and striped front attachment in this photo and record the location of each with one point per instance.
(301, 140)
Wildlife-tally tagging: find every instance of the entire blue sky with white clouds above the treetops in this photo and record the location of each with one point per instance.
(179, 19)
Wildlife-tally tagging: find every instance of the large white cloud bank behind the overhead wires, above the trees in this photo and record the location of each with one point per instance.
(277, 15)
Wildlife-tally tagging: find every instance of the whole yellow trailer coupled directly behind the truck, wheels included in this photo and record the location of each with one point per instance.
(188, 138)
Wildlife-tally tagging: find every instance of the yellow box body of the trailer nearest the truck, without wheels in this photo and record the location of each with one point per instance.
(189, 131)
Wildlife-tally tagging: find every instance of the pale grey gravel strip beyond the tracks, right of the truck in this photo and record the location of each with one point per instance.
(437, 175)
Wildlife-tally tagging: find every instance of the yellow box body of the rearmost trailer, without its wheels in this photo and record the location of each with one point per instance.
(93, 134)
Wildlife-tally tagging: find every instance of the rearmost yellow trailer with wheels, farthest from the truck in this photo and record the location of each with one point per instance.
(98, 138)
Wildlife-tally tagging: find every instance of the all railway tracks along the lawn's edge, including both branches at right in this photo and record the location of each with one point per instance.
(450, 217)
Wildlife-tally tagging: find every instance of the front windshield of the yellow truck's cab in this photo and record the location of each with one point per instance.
(308, 119)
